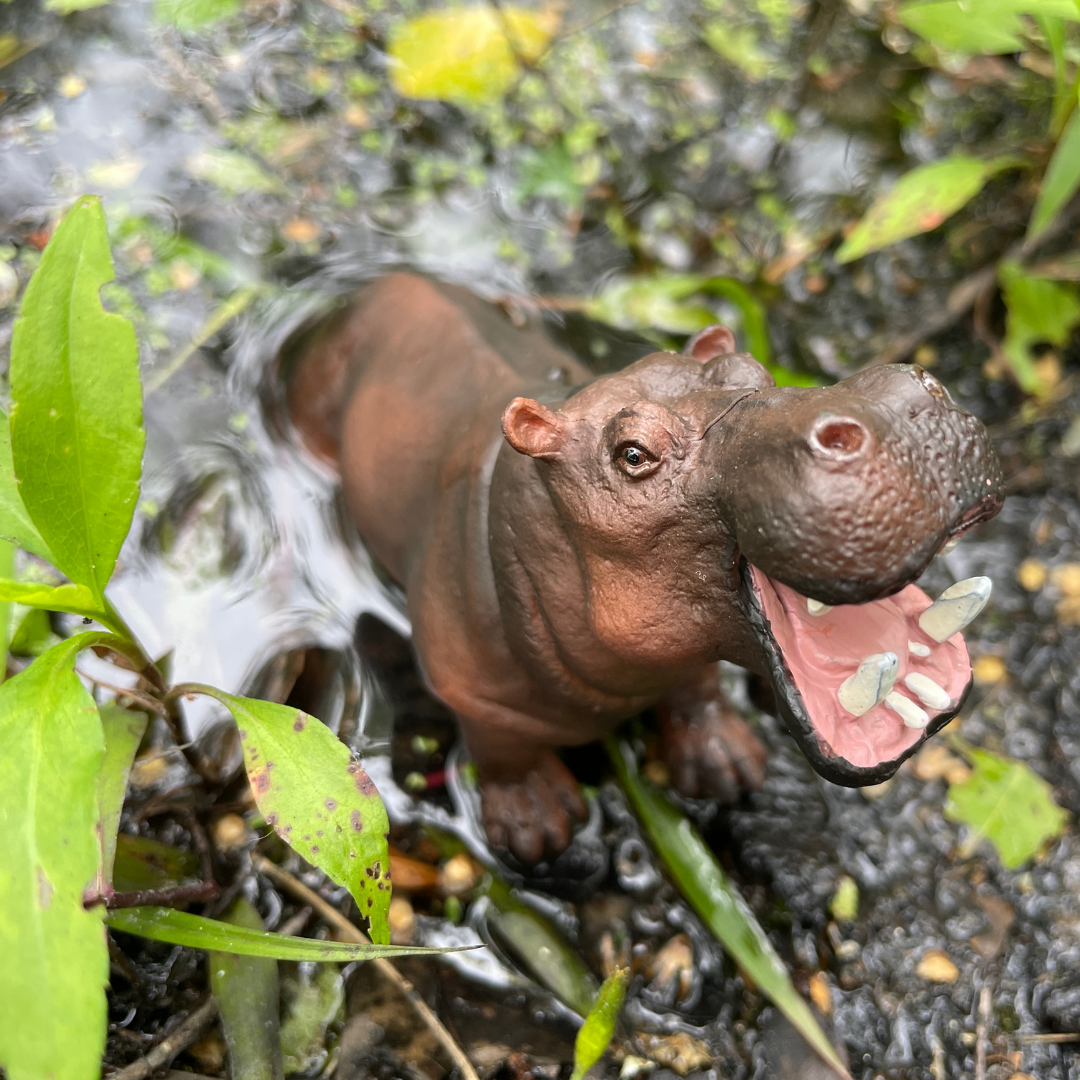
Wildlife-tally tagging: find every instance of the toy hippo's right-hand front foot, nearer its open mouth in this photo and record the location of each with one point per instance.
(710, 749)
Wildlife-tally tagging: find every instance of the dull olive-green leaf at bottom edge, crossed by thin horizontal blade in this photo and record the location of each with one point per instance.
(247, 991)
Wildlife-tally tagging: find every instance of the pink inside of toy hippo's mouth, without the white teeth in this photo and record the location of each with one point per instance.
(821, 652)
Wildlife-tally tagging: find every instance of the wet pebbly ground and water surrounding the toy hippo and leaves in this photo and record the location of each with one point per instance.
(266, 161)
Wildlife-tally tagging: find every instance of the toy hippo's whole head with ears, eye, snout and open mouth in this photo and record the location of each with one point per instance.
(717, 516)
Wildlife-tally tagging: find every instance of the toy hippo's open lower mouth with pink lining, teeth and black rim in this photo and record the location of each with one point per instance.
(862, 686)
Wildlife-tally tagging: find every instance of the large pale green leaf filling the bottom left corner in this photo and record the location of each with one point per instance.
(53, 958)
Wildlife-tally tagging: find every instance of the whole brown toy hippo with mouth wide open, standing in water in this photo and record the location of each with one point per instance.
(576, 549)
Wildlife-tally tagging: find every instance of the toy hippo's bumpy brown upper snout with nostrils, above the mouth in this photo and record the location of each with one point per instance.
(847, 493)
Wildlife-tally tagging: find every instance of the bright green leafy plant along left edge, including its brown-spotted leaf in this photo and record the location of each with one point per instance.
(70, 481)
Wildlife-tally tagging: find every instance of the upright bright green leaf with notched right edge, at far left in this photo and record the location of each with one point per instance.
(77, 418)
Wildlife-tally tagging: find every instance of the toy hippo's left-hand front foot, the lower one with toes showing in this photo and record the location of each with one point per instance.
(534, 815)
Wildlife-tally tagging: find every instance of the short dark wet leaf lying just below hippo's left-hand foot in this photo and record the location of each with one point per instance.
(542, 949)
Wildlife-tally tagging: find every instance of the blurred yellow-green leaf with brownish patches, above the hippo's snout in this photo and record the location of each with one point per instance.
(921, 201)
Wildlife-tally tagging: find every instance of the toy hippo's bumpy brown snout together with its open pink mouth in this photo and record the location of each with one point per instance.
(840, 498)
